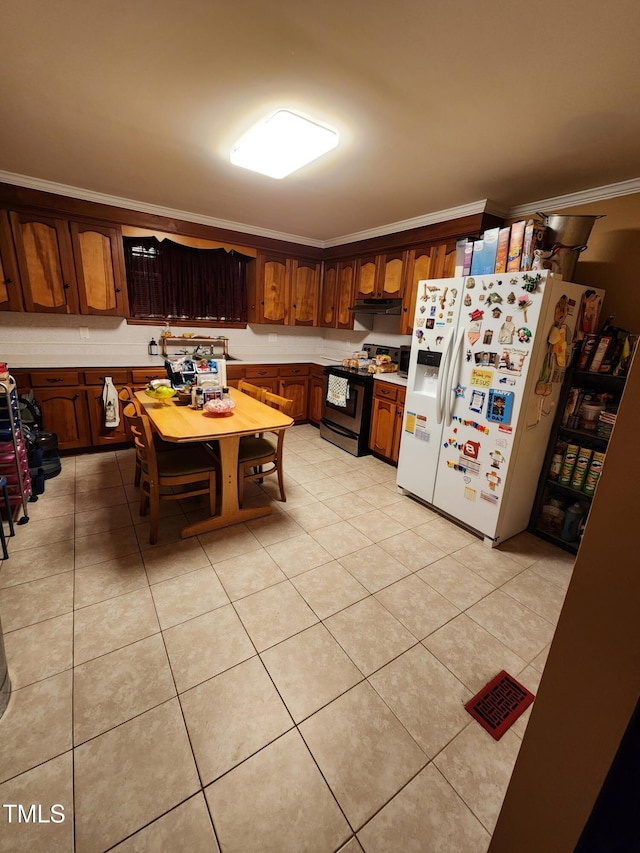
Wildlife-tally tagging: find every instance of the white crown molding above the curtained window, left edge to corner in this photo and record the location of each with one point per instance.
(153, 209)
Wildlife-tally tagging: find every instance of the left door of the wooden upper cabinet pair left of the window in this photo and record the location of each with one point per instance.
(45, 261)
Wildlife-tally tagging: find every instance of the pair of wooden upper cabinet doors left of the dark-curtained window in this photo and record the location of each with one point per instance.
(69, 267)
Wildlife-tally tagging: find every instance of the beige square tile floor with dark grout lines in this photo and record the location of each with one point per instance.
(293, 684)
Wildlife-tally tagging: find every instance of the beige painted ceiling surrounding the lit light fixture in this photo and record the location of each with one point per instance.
(438, 104)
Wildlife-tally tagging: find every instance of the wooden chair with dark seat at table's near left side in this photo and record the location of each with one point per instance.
(188, 465)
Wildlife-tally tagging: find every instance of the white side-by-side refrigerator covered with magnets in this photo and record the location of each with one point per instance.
(488, 358)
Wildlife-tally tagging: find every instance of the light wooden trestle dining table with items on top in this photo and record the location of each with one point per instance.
(183, 424)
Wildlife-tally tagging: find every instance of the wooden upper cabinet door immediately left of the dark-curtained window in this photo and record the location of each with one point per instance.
(99, 262)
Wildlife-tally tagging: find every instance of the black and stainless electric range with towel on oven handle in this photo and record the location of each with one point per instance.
(346, 416)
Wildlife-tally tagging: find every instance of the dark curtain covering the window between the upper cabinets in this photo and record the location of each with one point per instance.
(167, 279)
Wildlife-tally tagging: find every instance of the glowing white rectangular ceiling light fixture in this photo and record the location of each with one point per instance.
(282, 144)
